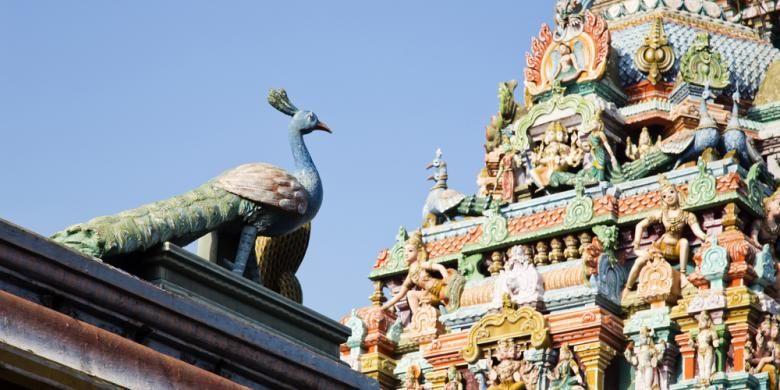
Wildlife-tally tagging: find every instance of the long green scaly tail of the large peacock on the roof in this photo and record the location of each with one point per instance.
(180, 219)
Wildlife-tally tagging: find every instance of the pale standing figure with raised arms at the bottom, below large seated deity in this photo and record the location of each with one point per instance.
(646, 358)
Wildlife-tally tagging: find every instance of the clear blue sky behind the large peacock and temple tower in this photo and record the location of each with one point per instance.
(107, 105)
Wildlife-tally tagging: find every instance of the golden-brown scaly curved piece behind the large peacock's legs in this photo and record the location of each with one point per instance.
(278, 259)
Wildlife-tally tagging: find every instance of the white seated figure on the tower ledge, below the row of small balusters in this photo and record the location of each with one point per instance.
(519, 279)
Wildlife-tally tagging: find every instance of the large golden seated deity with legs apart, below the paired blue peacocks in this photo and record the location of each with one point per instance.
(671, 244)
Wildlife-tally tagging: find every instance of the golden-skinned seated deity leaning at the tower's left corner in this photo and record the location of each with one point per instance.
(421, 287)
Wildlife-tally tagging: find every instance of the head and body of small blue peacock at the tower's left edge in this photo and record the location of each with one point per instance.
(441, 201)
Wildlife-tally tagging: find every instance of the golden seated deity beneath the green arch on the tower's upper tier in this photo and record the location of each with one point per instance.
(554, 155)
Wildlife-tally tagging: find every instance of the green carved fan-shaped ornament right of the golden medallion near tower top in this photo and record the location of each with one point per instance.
(702, 65)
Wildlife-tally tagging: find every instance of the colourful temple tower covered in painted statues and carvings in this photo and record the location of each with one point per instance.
(623, 232)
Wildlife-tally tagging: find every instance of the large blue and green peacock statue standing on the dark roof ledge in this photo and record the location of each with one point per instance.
(256, 199)
